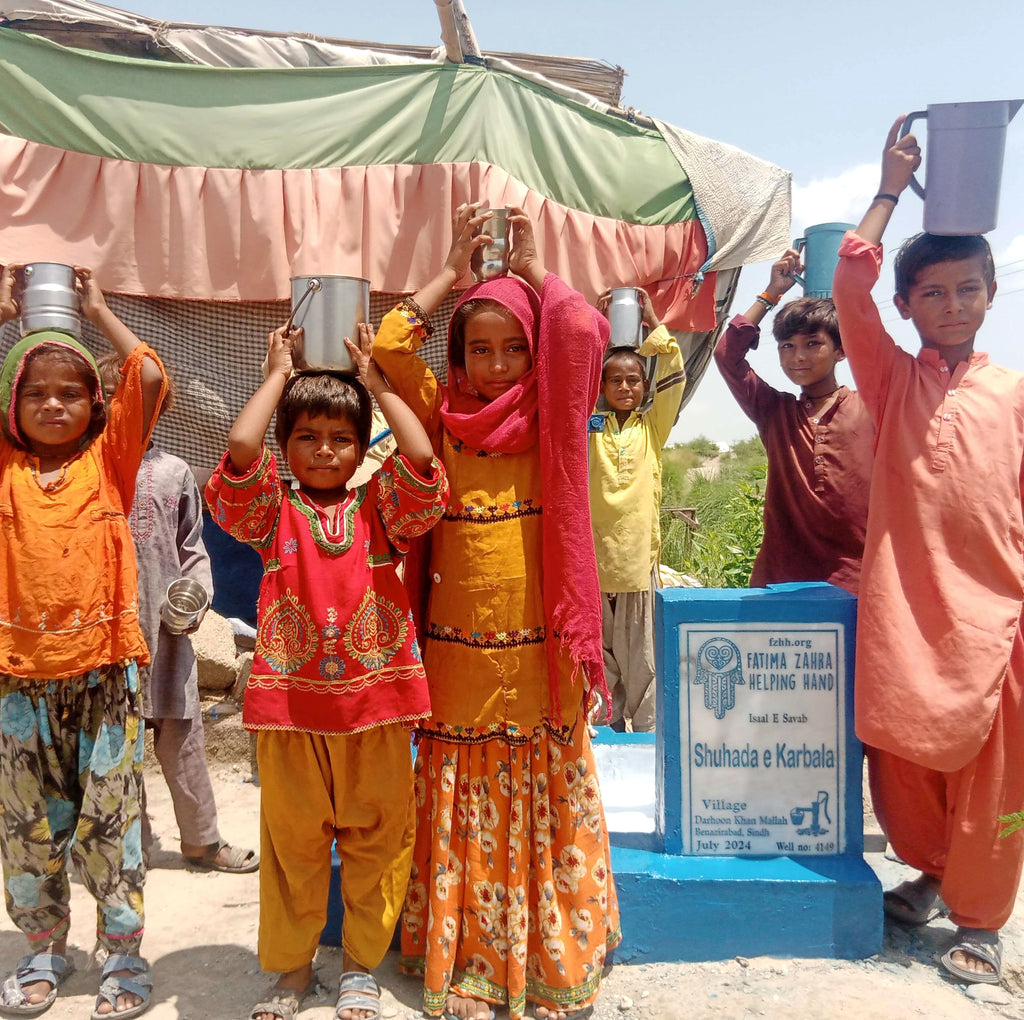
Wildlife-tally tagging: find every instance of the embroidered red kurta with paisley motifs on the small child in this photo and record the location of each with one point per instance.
(336, 650)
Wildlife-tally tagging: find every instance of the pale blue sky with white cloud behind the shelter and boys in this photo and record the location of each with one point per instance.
(812, 89)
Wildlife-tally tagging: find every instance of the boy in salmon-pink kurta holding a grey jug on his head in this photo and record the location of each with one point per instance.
(941, 655)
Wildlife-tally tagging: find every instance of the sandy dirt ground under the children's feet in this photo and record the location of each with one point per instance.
(201, 940)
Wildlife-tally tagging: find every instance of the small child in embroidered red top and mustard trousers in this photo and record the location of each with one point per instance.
(337, 677)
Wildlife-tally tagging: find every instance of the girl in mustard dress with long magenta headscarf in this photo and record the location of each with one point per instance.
(510, 899)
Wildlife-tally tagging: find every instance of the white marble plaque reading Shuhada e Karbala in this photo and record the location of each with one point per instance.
(763, 730)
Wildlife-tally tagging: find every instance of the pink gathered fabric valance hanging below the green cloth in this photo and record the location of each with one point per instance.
(214, 234)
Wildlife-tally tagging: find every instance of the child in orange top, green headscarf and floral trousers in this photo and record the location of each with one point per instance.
(71, 737)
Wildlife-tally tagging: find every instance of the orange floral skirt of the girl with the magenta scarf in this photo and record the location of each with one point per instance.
(511, 898)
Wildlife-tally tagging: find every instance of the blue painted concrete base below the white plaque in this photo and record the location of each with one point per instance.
(698, 909)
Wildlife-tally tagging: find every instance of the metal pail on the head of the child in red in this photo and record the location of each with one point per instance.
(328, 310)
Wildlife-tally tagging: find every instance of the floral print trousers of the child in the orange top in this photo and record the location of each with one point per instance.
(71, 775)
